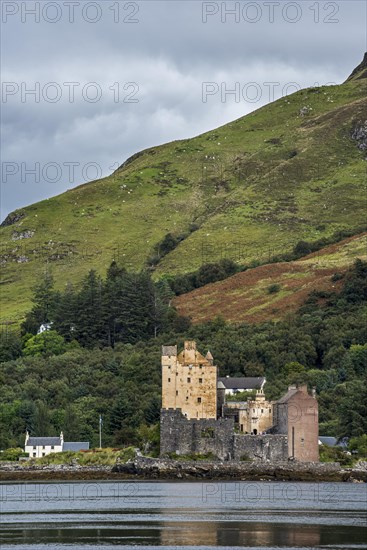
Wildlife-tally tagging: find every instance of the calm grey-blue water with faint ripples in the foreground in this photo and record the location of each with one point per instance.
(103, 515)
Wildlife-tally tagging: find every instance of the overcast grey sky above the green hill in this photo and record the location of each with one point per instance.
(110, 78)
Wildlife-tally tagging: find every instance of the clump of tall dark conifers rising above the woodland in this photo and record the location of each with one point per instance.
(123, 307)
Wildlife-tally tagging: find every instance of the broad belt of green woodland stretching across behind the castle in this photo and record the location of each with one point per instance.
(324, 344)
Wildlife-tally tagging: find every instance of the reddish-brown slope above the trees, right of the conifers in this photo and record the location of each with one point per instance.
(251, 296)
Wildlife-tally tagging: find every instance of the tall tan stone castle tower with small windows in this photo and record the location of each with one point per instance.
(189, 382)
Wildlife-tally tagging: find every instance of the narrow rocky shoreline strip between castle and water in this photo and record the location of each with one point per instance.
(161, 469)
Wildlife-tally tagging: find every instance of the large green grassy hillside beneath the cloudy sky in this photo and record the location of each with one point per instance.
(292, 170)
